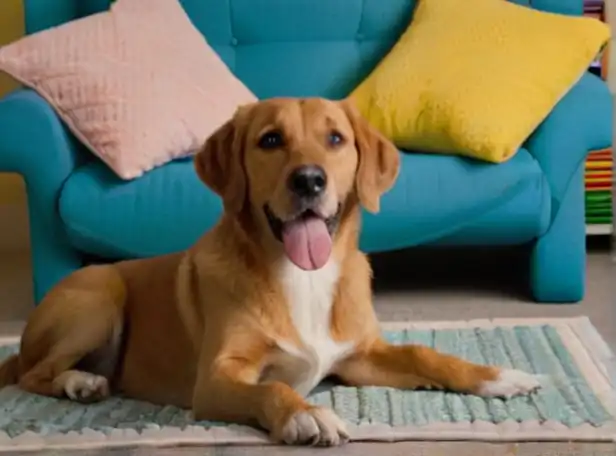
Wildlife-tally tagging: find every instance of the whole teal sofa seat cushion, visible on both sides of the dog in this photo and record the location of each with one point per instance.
(436, 197)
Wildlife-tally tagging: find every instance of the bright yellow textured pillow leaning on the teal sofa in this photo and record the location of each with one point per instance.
(476, 77)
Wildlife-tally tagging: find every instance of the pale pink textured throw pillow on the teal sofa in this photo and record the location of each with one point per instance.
(138, 84)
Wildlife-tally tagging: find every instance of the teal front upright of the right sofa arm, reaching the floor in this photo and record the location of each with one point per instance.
(558, 259)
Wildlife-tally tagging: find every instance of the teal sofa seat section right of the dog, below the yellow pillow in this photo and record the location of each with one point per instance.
(458, 201)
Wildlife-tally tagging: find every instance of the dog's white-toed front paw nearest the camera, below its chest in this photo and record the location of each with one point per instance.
(315, 426)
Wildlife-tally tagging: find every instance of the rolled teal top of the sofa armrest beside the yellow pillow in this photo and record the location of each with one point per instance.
(579, 123)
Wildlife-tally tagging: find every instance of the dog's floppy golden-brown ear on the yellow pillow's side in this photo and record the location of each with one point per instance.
(379, 160)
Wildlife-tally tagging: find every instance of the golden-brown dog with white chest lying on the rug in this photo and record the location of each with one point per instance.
(273, 299)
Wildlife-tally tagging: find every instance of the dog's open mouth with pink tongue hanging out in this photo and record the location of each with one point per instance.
(307, 237)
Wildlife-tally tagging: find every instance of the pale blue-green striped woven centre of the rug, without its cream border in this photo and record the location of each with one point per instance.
(566, 398)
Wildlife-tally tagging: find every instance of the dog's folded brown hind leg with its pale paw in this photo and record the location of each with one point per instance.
(77, 326)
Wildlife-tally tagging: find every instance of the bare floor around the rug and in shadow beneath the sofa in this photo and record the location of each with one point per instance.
(417, 285)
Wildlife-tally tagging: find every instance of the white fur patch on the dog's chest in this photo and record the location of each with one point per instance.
(310, 296)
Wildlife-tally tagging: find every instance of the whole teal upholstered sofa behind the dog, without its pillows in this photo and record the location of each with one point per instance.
(80, 211)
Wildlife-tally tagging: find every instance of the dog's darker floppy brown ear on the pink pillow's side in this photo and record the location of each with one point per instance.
(219, 165)
